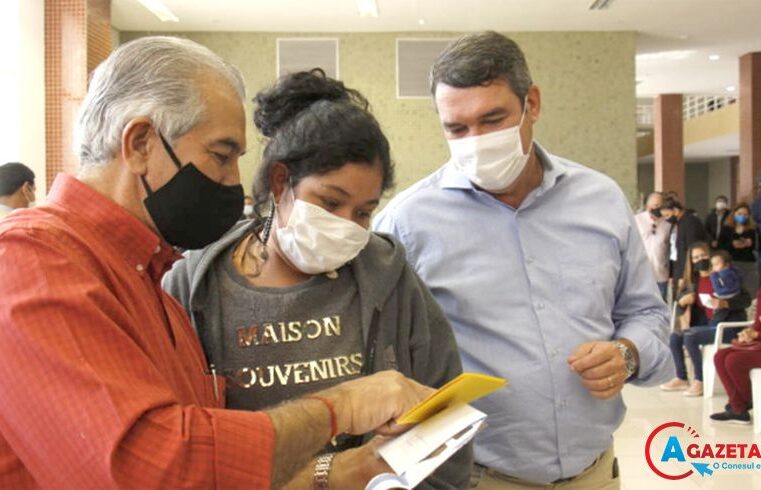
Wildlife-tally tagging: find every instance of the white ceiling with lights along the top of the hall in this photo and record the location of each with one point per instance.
(693, 28)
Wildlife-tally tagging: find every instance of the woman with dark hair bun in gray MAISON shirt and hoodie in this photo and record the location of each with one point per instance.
(303, 296)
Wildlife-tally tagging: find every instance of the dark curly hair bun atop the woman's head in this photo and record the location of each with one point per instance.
(294, 93)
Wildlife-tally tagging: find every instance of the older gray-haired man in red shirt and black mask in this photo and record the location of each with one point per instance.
(103, 381)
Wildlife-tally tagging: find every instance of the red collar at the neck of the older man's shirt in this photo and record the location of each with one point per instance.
(139, 245)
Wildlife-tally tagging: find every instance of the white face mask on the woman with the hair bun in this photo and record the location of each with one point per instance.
(316, 241)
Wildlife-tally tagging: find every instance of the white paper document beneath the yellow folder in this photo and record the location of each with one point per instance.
(418, 452)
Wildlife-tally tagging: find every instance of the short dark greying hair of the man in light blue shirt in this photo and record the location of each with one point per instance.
(479, 59)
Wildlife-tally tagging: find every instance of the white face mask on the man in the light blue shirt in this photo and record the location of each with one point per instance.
(492, 161)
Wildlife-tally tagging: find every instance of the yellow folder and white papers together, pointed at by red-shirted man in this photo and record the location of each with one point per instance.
(445, 424)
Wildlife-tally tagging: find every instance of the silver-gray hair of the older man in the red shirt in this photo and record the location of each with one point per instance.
(154, 77)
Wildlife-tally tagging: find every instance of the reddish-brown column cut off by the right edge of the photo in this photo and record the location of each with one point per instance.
(750, 125)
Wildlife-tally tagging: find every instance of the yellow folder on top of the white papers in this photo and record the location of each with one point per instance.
(463, 389)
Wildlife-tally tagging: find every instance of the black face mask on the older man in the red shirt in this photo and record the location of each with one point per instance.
(191, 210)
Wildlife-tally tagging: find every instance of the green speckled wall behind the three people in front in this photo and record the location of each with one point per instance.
(586, 78)
